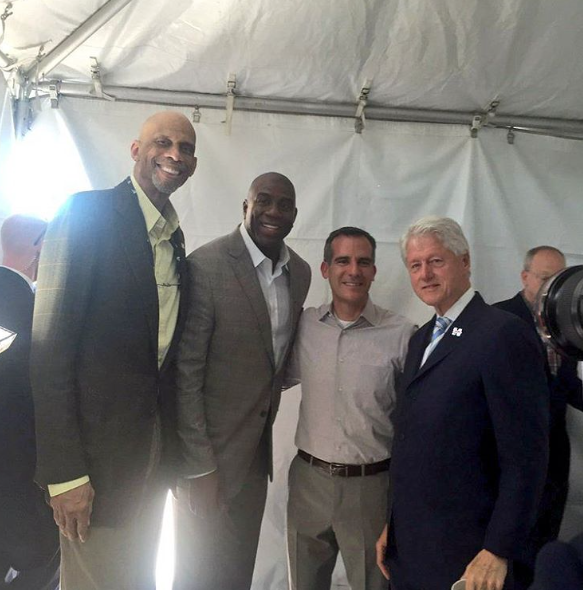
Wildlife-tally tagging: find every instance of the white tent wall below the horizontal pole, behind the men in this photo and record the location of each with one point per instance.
(507, 197)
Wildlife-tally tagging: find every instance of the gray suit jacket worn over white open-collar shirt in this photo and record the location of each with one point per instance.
(228, 387)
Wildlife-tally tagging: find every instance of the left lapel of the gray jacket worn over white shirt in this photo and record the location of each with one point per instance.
(247, 276)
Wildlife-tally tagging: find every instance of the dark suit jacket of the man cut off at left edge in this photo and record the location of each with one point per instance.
(28, 535)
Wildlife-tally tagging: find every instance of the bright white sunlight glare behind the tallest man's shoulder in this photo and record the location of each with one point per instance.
(42, 170)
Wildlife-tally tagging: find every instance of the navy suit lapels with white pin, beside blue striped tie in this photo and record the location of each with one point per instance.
(460, 329)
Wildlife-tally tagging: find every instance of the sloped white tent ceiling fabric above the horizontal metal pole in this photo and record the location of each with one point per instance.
(448, 55)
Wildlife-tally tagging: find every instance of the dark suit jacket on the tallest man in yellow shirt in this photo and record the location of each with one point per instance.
(96, 384)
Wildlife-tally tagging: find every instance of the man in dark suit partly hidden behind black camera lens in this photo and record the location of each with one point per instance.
(541, 263)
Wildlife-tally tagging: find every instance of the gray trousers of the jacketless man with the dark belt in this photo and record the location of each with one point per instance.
(329, 514)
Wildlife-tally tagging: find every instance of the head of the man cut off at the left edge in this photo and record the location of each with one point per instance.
(22, 237)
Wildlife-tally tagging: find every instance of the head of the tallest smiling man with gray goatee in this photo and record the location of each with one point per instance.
(164, 155)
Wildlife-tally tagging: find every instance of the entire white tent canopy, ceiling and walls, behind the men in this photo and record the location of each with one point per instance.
(444, 61)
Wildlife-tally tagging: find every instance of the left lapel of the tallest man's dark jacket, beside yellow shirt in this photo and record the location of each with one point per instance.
(134, 237)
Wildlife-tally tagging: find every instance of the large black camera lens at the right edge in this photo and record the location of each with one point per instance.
(559, 312)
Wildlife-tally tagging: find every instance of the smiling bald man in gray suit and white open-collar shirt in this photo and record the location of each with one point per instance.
(247, 292)
